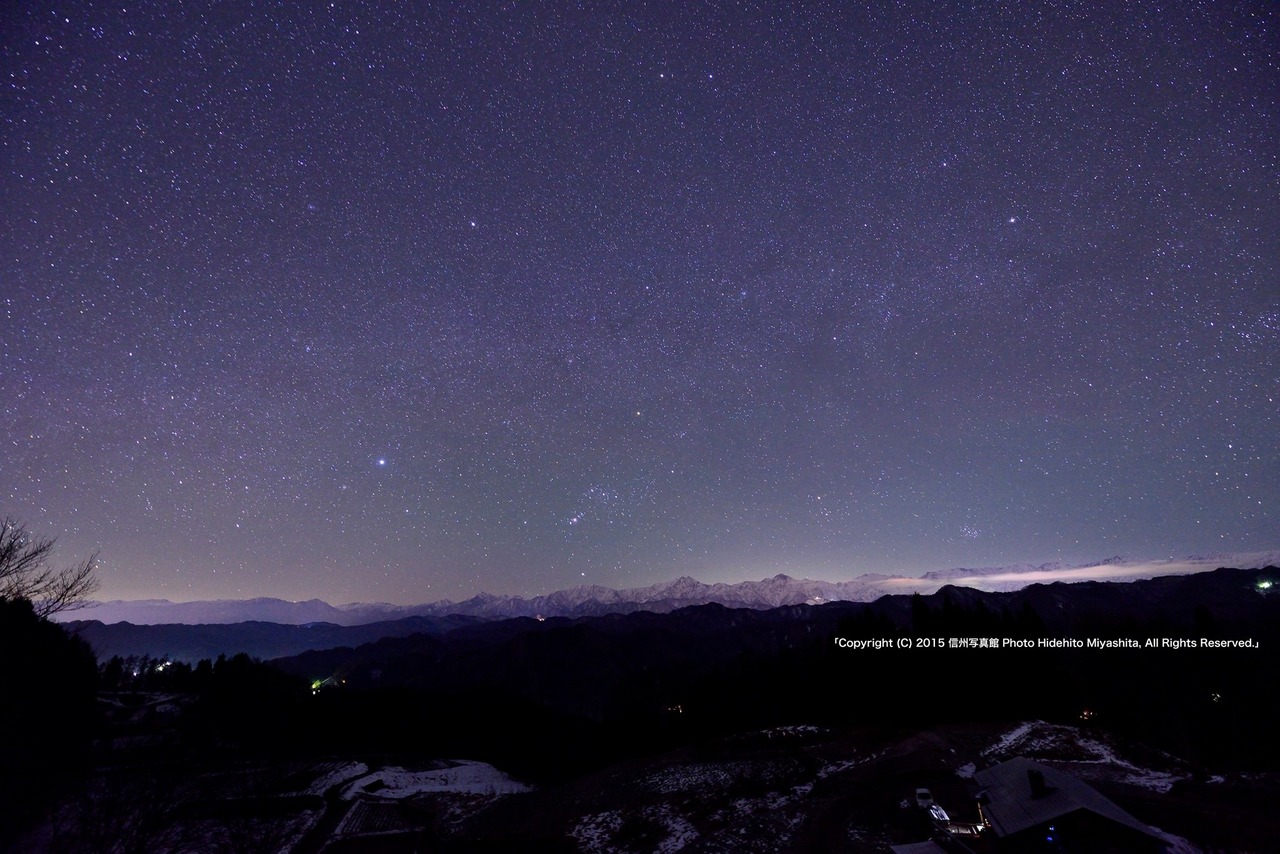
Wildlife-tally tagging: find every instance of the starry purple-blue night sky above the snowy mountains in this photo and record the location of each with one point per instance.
(369, 302)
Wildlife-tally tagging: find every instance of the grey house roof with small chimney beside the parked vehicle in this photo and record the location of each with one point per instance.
(1013, 807)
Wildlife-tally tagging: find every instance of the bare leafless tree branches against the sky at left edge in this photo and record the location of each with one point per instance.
(26, 573)
